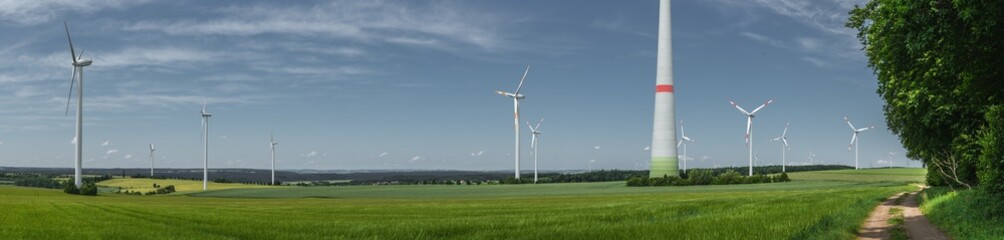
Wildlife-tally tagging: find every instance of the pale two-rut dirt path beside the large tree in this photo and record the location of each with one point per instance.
(916, 225)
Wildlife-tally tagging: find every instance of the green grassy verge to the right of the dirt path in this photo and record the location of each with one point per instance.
(964, 214)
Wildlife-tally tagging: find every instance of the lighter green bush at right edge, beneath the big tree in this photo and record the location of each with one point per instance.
(991, 166)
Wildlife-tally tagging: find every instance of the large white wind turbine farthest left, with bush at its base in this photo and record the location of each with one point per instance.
(77, 76)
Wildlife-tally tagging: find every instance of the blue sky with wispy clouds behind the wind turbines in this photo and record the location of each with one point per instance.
(410, 85)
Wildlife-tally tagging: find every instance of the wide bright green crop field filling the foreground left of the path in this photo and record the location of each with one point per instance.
(804, 209)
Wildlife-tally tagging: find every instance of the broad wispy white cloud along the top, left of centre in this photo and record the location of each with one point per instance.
(434, 25)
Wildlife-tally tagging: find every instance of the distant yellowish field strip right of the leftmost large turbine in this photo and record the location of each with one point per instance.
(182, 186)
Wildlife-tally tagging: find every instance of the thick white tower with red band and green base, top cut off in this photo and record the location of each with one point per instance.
(664, 135)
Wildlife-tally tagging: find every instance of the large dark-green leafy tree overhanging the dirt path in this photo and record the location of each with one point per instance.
(940, 66)
